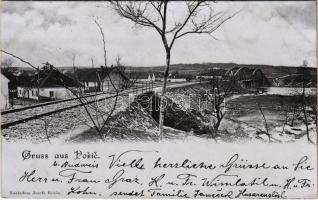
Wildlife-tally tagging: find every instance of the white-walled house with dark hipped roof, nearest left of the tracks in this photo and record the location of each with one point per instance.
(48, 84)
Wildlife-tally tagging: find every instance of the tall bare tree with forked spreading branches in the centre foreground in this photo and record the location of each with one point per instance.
(200, 19)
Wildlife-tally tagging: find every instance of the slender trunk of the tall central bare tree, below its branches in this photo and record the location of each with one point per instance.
(163, 92)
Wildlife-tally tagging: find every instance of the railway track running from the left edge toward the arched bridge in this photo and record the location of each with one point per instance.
(22, 115)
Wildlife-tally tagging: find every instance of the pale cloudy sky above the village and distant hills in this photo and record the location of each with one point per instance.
(275, 33)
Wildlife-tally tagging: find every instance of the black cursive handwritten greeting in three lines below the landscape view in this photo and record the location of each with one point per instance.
(134, 174)
